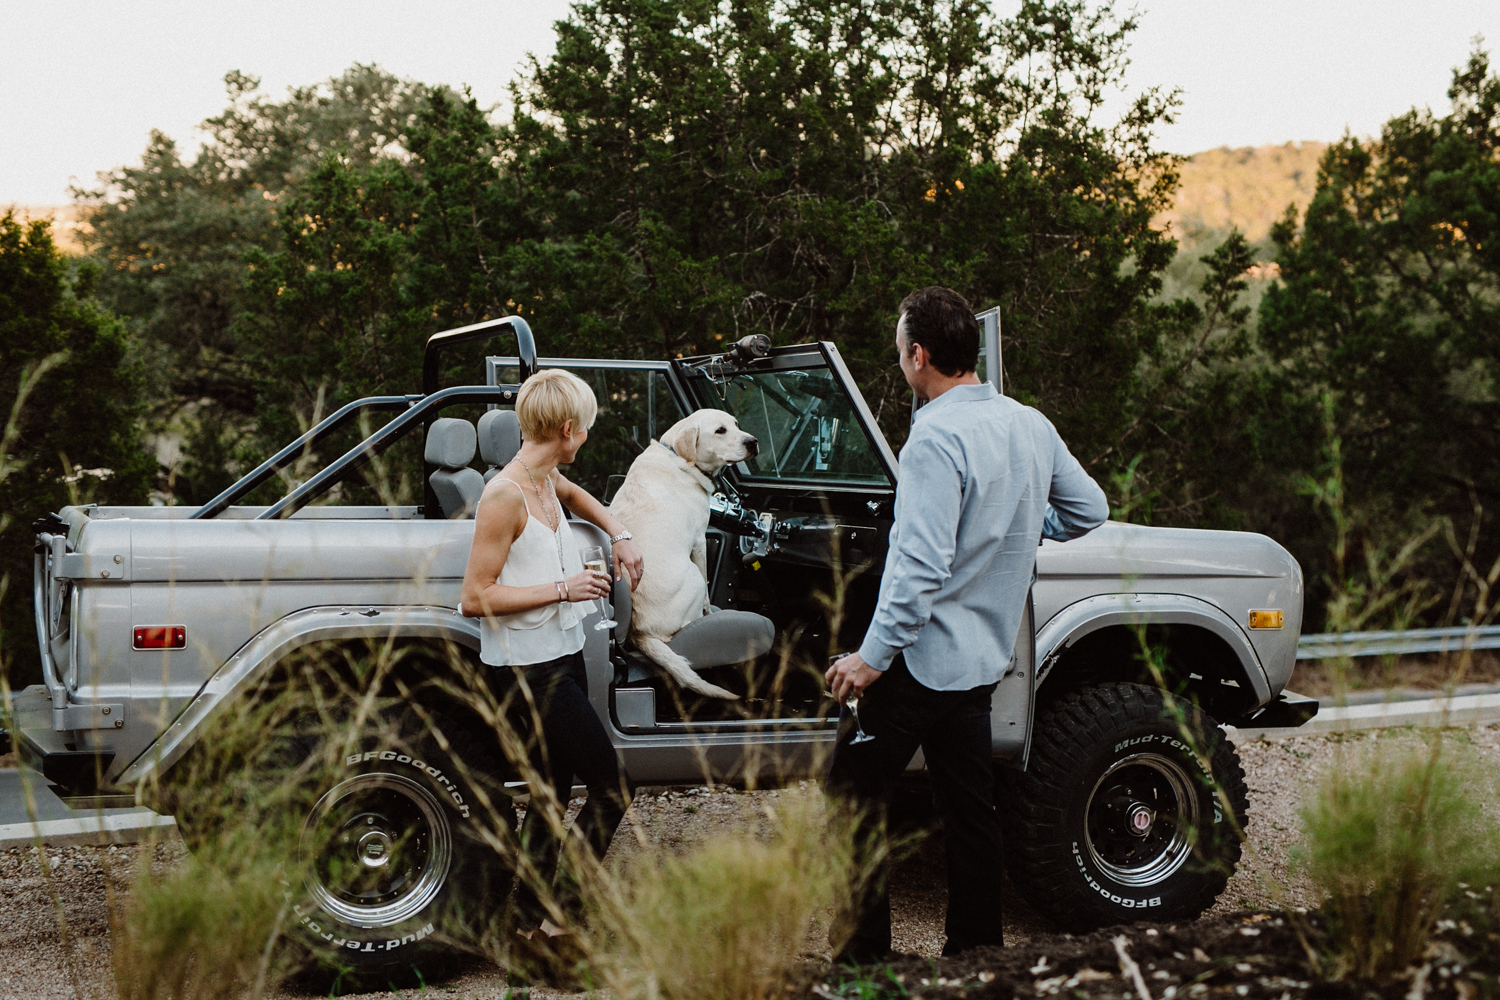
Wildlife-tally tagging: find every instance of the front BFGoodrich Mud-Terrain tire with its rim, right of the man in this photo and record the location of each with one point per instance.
(1121, 815)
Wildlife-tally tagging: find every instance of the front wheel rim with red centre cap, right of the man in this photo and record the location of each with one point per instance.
(1141, 819)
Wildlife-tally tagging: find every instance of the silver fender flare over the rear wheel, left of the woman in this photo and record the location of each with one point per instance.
(260, 654)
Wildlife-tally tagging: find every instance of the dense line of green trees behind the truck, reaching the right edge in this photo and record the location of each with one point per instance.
(682, 173)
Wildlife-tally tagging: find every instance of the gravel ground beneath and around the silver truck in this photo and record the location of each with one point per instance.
(37, 965)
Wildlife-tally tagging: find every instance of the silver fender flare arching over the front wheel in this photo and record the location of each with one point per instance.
(1076, 621)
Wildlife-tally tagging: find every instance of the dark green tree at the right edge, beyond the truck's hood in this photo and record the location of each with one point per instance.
(1390, 308)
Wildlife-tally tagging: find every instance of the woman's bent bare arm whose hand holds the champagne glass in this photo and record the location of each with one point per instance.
(499, 522)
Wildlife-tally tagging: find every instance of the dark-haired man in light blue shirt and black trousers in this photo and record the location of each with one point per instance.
(983, 481)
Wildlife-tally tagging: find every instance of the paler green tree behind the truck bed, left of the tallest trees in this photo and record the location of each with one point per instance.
(173, 239)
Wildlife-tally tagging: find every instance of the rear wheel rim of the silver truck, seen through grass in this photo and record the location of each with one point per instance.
(377, 851)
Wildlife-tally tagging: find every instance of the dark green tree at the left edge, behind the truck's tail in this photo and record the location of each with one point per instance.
(77, 437)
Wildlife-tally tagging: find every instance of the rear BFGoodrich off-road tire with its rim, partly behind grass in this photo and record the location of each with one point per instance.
(388, 804)
